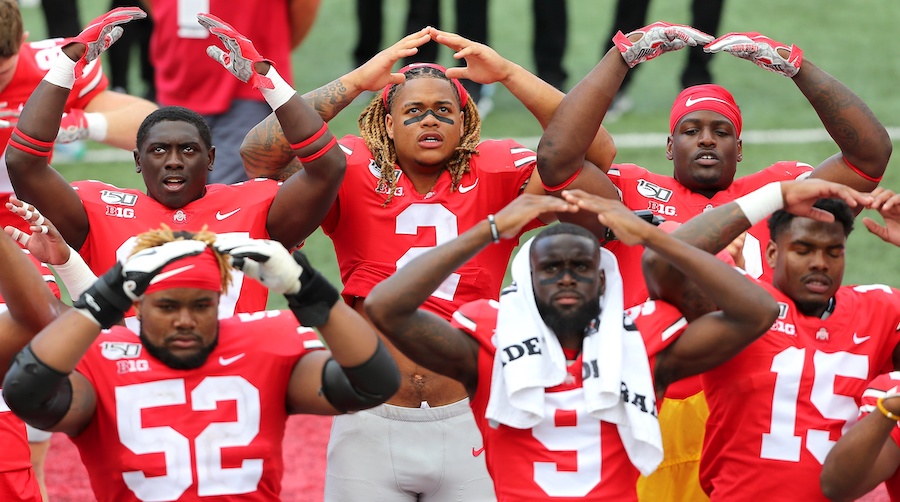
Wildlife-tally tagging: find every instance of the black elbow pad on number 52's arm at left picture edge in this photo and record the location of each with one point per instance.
(35, 392)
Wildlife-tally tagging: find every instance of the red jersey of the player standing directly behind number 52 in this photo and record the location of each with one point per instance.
(116, 215)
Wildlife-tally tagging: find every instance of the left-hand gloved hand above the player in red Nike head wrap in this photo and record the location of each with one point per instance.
(653, 40)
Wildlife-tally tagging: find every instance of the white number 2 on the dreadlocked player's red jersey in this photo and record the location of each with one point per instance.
(446, 228)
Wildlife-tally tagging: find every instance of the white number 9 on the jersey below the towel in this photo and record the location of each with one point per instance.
(580, 435)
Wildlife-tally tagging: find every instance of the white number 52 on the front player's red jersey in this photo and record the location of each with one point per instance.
(212, 478)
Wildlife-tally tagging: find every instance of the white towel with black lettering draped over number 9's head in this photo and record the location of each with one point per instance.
(517, 389)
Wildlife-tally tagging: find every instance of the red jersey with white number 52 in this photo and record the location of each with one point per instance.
(216, 431)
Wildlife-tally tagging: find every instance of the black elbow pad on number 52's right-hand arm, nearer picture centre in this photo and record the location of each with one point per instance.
(369, 384)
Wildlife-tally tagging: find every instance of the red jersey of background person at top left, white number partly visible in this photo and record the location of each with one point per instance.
(185, 76)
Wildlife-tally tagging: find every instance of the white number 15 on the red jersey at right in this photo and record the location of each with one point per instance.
(782, 441)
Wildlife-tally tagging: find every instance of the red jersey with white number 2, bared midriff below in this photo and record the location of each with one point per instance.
(372, 241)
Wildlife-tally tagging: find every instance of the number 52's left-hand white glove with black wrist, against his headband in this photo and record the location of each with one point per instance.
(113, 293)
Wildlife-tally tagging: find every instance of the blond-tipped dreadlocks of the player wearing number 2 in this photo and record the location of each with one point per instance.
(374, 133)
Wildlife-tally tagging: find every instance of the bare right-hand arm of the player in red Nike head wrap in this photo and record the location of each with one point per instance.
(864, 142)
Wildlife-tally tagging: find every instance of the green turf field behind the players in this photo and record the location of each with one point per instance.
(849, 39)
